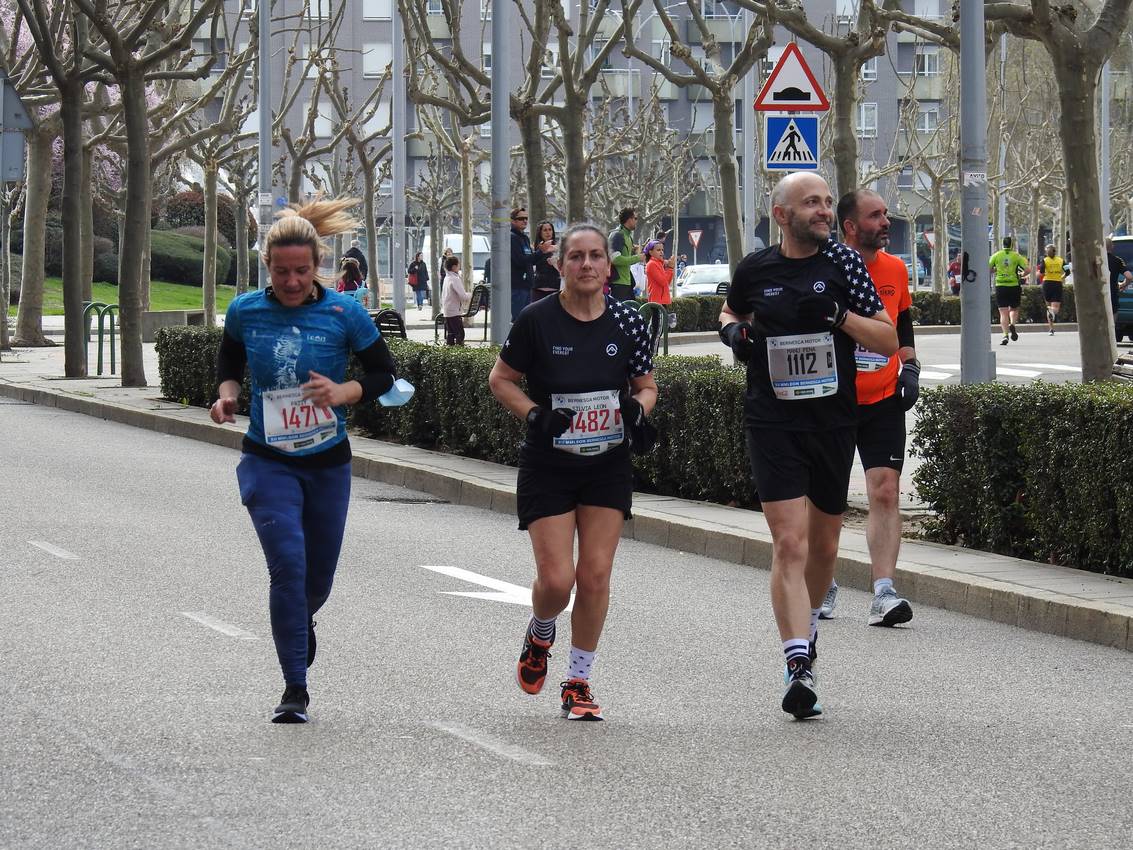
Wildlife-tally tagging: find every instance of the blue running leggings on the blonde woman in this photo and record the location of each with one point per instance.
(300, 517)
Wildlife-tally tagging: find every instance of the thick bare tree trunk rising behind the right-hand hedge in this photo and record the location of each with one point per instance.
(1078, 99)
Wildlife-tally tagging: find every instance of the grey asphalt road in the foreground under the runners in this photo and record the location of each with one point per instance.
(129, 724)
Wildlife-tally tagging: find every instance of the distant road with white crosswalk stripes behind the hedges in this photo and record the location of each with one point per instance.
(1033, 358)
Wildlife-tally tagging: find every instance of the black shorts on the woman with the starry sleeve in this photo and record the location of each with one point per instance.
(548, 491)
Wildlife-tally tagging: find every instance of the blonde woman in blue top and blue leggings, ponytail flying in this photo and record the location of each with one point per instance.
(295, 472)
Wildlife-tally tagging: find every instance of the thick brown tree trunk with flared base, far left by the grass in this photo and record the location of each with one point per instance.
(30, 318)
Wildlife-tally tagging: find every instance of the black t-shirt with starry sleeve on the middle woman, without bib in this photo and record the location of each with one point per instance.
(560, 354)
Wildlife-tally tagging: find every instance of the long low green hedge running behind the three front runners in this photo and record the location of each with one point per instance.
(701, 453)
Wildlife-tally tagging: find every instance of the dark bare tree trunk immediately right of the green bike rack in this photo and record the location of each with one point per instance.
(133, 290)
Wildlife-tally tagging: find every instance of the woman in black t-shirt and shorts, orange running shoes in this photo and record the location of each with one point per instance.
(589, 369)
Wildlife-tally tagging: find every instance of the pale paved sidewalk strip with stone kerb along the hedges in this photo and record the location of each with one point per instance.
(1054, 600)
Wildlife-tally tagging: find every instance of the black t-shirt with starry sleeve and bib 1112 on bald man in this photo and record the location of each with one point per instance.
(813, 365)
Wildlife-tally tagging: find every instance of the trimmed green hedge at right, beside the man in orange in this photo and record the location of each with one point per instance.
(1041, 472)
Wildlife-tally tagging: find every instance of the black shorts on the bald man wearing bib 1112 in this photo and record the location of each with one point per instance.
(793, 464)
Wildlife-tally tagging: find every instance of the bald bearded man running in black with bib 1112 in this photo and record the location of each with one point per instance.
(796, 313)
